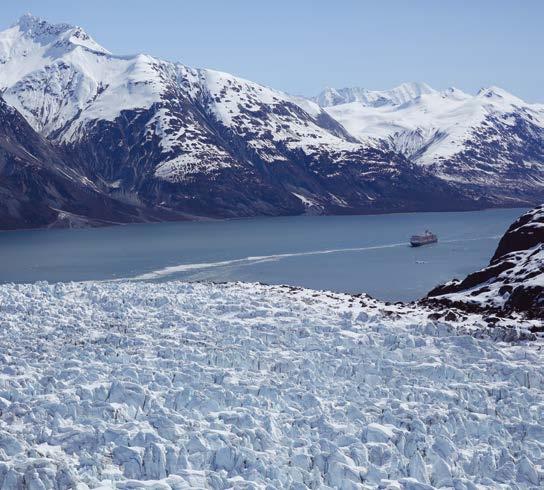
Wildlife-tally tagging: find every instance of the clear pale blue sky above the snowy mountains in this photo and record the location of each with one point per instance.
(302, 46)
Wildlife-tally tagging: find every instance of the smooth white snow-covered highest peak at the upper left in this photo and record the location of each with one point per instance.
(56, 75)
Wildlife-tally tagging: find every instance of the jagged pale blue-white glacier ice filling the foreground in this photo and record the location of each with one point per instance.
(178, 385)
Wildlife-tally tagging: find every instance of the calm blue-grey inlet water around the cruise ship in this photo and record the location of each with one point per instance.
(343, 253)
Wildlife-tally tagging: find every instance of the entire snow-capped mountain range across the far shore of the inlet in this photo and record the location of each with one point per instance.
(88, 137)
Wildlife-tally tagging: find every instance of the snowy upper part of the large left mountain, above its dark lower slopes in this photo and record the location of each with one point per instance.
(62, 81)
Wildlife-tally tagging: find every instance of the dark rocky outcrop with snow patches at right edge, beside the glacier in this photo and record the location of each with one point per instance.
(514, 280)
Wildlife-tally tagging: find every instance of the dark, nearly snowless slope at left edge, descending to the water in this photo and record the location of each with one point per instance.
(38, 188)
